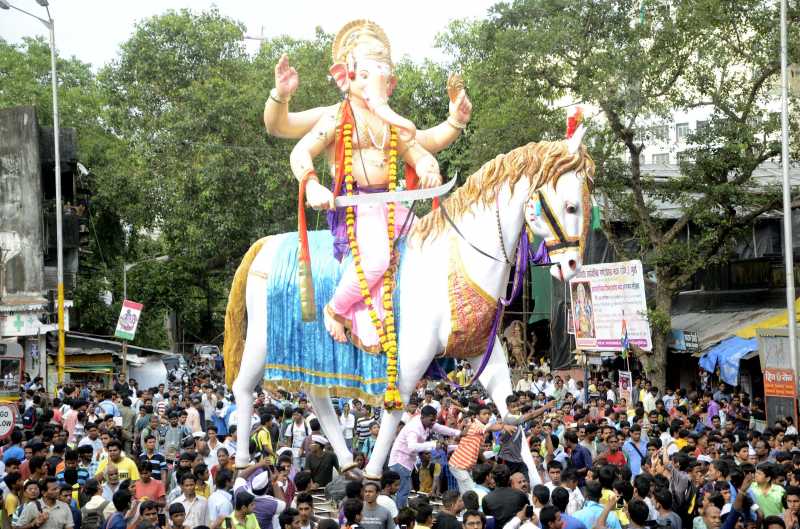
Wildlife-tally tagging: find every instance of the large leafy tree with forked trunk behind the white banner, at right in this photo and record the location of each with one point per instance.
(635, 61)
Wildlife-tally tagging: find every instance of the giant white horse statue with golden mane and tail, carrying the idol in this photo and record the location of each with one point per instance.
(542, 185)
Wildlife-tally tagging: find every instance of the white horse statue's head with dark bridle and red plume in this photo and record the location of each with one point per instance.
(558, 208)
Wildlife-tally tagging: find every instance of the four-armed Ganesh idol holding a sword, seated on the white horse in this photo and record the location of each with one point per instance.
(363, 139)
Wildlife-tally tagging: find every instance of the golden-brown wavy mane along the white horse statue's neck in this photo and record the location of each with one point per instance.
(543, 161)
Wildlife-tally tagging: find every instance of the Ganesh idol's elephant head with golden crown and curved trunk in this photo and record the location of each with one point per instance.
(362, 68)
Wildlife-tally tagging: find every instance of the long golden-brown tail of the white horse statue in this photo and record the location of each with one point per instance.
(236, 314)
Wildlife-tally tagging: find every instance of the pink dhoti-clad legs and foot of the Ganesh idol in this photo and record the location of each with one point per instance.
(347, 303)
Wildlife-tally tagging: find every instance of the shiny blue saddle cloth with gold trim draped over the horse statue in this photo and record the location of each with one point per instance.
(302, 354)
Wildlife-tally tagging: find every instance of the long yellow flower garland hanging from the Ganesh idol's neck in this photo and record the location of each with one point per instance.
(384, 328)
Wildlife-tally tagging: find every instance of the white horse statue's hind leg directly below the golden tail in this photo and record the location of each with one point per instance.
(251, 371)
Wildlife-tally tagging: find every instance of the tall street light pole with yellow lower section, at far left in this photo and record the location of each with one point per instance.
(57, 151)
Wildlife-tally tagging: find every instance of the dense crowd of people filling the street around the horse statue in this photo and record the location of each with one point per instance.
(125, 457)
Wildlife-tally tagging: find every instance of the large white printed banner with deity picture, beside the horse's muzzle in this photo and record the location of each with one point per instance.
(609, 308)
